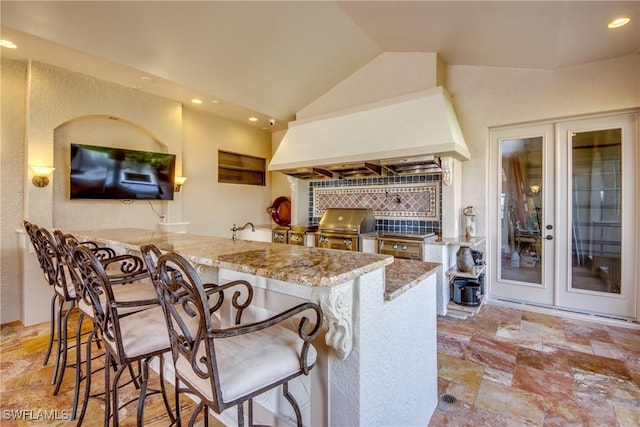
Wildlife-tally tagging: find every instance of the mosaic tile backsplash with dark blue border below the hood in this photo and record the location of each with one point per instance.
(402, 204)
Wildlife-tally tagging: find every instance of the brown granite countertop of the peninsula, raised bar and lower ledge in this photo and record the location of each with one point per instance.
(289, 263)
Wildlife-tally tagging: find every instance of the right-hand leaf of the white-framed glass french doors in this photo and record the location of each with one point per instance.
(598, 190)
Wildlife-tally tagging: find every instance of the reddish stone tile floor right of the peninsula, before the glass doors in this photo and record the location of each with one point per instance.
(507, 367)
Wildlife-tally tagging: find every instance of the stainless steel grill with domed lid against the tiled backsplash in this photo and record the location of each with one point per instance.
(343, 228)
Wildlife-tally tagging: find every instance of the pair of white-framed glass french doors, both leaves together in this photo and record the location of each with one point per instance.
(563, 204)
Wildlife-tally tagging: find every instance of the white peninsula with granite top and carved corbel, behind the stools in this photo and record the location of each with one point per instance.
(377, 365)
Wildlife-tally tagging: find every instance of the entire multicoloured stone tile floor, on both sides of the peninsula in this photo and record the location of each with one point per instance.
(503, 366)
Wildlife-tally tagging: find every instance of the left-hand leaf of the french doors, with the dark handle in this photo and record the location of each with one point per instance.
(523, 192)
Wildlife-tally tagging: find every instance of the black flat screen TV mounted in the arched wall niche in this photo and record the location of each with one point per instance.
(116, 173)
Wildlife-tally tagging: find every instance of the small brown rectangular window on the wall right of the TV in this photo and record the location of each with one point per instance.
(236, 168)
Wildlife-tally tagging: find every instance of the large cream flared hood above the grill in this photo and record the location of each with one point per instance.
(410, 129)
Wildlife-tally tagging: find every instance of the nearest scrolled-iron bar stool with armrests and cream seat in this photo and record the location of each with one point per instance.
(226, 367)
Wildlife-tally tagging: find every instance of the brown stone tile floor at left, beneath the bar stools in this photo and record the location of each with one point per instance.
(26, 392)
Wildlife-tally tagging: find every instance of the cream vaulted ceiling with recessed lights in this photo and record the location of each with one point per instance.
(270, 59)
